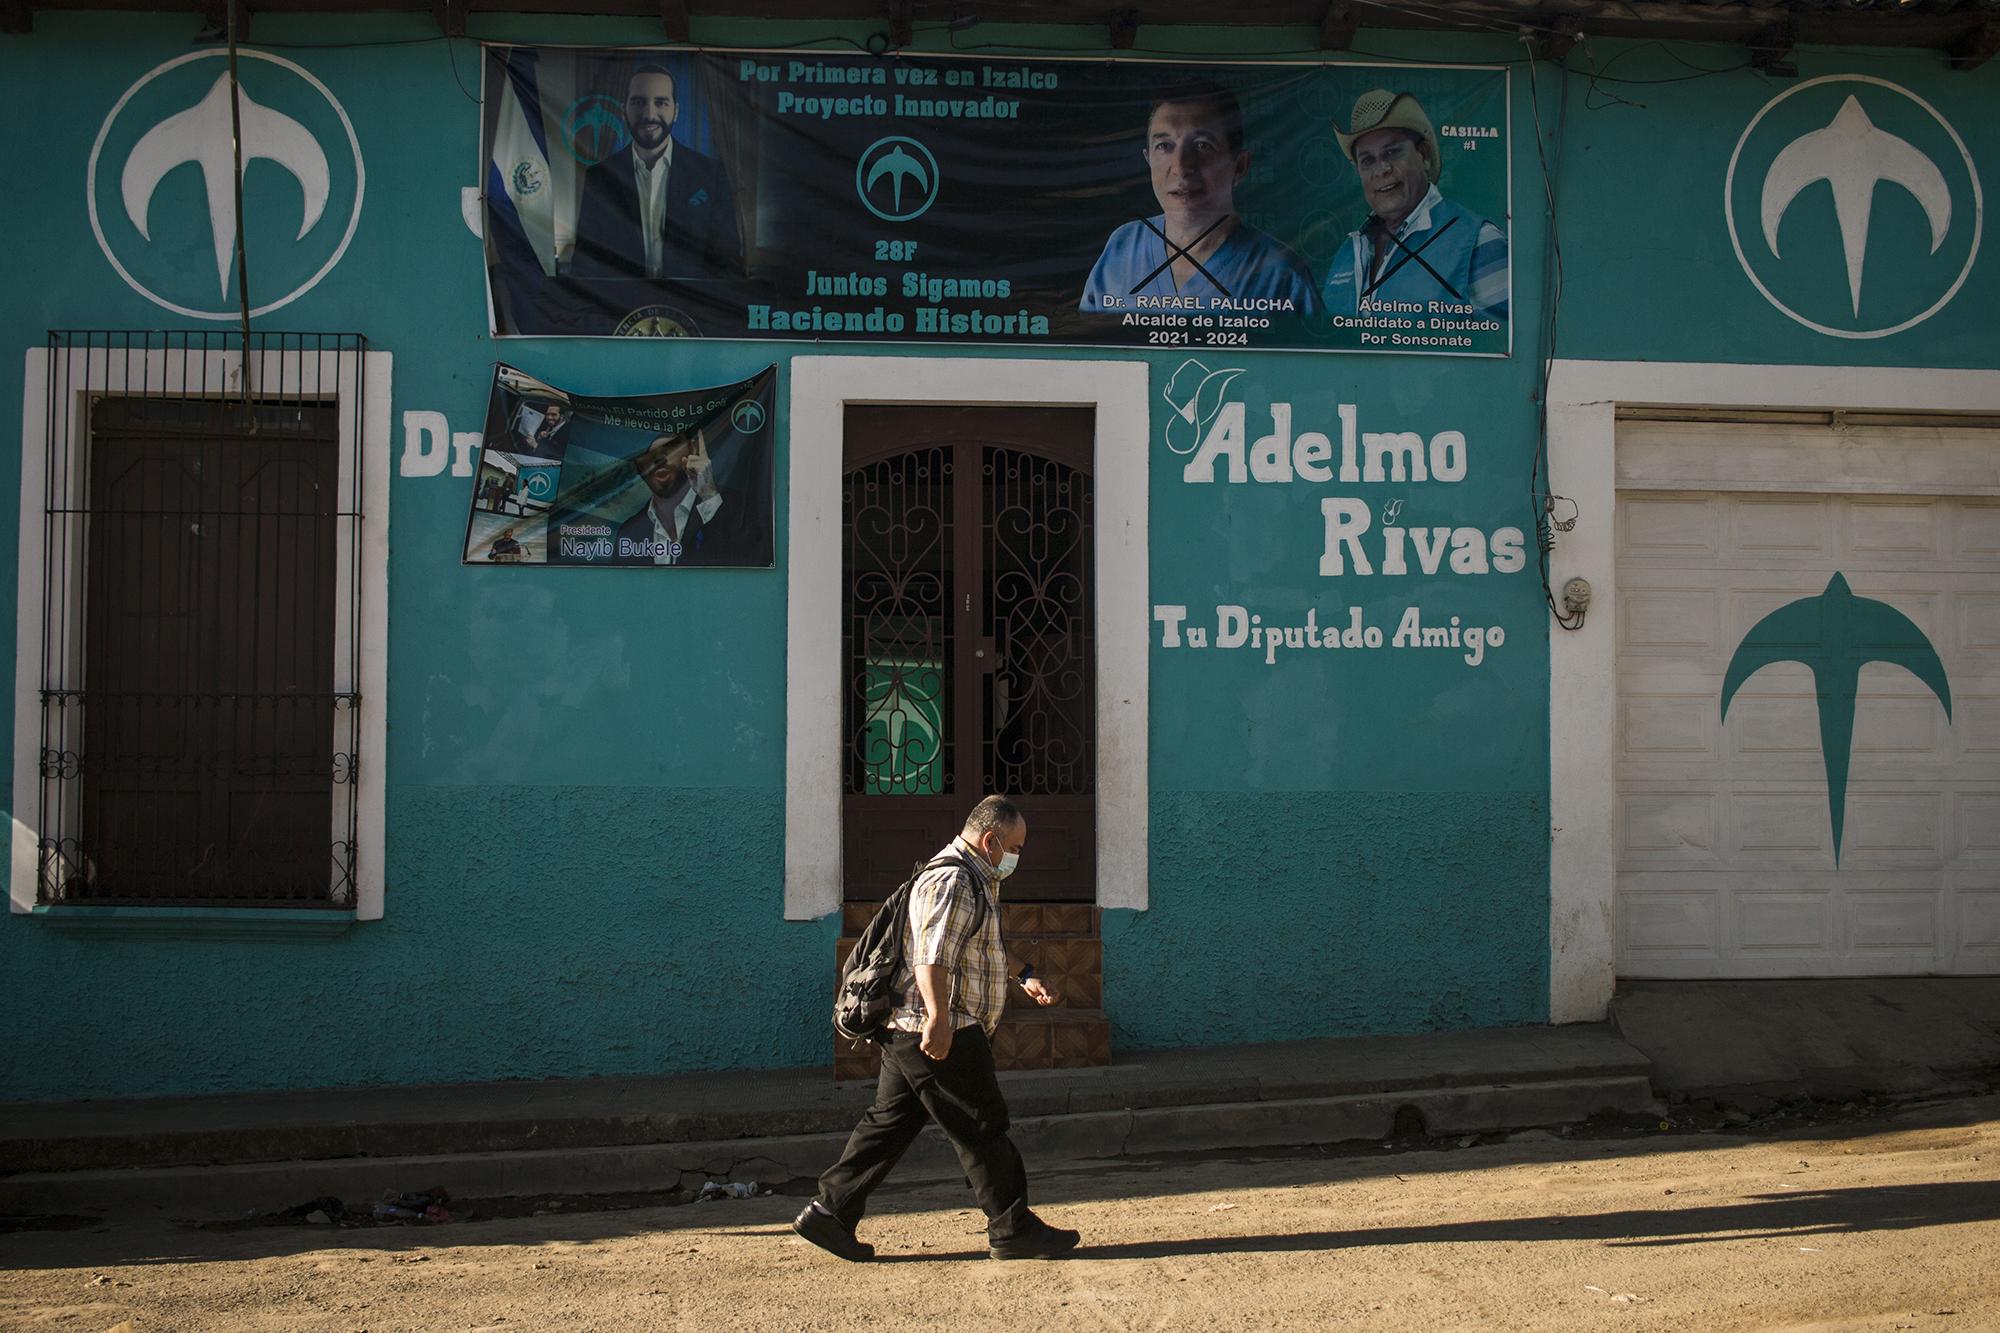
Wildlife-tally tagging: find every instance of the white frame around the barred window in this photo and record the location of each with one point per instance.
(359, 387)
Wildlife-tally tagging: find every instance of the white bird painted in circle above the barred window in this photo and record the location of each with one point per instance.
(201, 135)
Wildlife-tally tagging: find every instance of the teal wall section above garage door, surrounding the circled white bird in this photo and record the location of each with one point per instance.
(1649, 261)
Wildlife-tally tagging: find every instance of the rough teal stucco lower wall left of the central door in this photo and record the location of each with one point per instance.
(535, 932)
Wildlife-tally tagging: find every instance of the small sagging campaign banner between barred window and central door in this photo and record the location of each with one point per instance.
(649, 481)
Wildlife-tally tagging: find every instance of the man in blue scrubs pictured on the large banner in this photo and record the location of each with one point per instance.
(1197, 249)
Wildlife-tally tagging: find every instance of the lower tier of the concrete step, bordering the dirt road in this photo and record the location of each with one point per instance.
(217, 1192)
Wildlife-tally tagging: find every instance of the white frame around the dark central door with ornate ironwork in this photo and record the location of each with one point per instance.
(821, 391)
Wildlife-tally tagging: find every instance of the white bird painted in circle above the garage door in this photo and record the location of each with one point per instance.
(1853, 157)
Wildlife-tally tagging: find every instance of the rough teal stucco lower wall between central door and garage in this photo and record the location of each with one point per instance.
(1333, 914)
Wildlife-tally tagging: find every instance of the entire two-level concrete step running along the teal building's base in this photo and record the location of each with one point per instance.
(223, 1156)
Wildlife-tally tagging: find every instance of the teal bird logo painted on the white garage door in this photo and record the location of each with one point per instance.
(1835, 635)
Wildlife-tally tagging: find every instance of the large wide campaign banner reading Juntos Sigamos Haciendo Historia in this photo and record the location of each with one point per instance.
(935, 199)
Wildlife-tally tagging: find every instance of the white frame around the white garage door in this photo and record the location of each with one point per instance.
(1583, 668)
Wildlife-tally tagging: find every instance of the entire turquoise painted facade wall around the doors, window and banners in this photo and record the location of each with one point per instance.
(587, 802)
